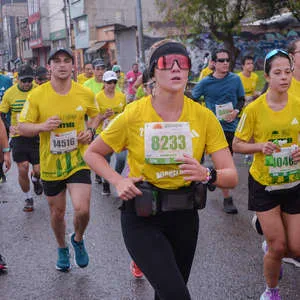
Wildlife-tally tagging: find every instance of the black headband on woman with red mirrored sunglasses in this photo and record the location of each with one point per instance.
(168, 48)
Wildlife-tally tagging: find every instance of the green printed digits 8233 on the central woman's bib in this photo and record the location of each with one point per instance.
(166, 142)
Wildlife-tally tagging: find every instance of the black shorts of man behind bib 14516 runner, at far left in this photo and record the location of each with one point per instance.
(26, 149)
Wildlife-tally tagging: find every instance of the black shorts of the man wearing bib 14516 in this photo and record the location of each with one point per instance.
(54, 187)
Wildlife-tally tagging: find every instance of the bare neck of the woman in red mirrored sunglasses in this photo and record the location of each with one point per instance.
(168, 105)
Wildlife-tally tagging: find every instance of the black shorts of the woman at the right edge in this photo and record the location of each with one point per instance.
(261, 200)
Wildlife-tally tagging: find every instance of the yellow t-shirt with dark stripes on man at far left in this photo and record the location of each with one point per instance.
(13, 101)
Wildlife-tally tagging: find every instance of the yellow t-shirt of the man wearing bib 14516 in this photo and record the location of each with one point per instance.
(43, 103)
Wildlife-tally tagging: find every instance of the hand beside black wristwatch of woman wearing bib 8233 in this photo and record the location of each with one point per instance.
(192, 169)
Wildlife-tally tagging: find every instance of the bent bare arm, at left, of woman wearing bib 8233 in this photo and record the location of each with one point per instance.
(95, 158)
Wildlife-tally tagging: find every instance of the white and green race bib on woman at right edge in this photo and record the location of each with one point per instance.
(281, 163)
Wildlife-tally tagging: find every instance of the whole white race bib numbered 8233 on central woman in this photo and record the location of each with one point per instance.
(166, 141)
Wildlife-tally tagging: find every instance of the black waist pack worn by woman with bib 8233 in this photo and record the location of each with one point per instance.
(154, 199)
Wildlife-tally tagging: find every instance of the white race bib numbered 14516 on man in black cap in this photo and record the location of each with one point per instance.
(63, 142)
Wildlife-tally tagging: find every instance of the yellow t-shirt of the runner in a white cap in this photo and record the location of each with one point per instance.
(117, 104)
